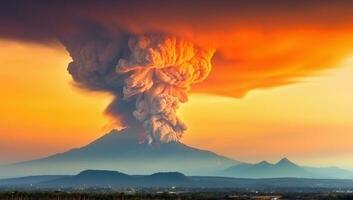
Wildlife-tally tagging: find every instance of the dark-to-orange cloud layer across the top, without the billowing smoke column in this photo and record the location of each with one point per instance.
(259, 44)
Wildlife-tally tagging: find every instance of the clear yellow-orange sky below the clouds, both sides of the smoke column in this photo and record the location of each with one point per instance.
(42, 113)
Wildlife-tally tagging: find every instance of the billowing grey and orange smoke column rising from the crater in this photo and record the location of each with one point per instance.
(150, 75)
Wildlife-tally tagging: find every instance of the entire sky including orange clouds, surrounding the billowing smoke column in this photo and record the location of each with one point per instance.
(280, 85)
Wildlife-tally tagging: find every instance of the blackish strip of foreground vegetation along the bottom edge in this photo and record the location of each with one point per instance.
(169, 196)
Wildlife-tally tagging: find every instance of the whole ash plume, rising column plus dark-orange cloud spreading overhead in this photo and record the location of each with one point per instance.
(258, 44)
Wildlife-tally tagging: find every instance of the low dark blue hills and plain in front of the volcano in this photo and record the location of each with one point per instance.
(113, 179)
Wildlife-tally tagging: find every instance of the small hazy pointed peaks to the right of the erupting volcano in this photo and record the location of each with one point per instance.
(283, 168)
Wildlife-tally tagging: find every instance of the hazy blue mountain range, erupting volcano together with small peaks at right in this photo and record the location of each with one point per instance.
(122, 151)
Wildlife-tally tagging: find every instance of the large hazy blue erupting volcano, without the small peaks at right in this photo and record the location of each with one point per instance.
(121, 151)
